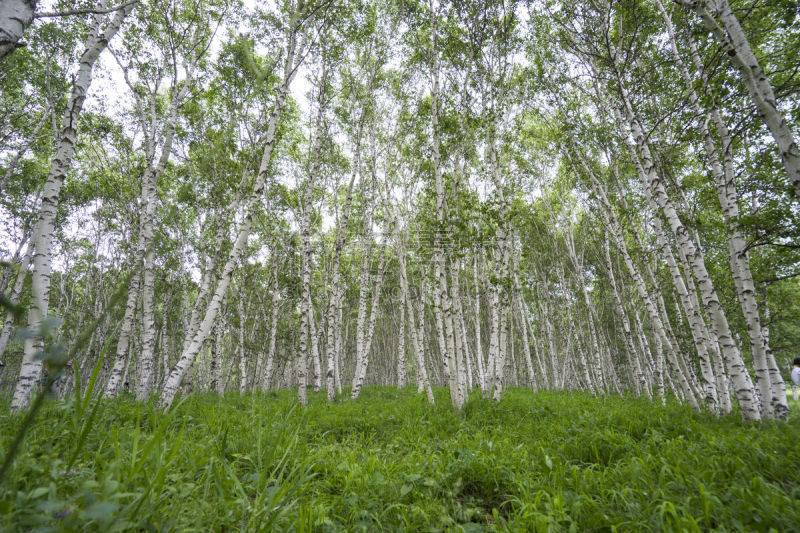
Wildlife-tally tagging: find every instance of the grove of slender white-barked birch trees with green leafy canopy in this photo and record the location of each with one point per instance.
(469, 196)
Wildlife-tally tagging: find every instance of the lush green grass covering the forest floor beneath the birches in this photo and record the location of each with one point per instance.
(549, 461)
